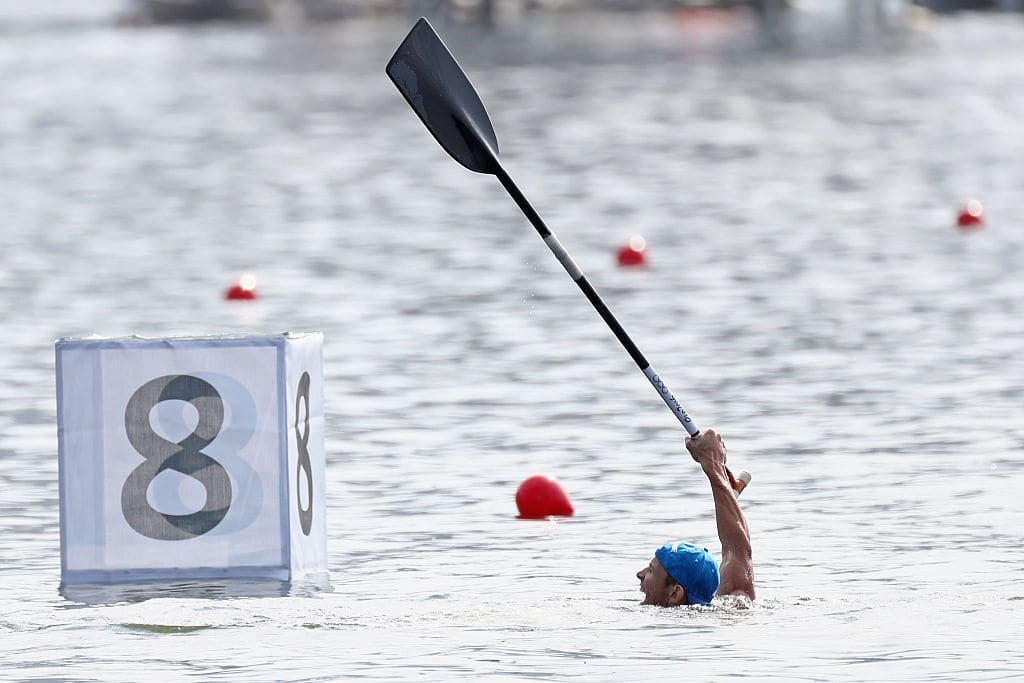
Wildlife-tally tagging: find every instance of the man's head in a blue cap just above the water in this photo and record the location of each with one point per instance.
(679, 574)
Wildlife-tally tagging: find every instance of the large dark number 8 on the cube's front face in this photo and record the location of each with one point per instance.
(186, 457)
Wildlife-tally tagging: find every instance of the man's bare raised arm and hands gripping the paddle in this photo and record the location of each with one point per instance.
(738, 562)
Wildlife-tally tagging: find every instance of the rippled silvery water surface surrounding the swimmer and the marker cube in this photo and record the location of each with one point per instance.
(807, 295)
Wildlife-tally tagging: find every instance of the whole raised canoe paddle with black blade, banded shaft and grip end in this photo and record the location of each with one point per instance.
(442, 96)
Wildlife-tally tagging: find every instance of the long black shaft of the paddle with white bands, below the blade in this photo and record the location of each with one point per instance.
(577, 275)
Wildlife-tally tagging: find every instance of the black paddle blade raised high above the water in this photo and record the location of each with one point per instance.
(439, 92)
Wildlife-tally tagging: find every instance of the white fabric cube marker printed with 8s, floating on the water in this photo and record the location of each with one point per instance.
(192, 458)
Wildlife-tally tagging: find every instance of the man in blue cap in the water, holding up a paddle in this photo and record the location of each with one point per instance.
(681, 574)
